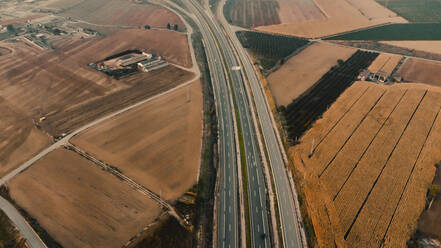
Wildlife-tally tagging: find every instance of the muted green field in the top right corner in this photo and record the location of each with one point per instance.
(415, 10)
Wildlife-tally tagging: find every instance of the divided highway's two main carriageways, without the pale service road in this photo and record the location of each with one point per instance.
(220, 54)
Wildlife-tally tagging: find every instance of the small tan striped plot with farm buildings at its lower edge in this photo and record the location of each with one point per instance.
(383, 66)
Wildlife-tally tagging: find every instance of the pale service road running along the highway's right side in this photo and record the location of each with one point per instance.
(292, 234)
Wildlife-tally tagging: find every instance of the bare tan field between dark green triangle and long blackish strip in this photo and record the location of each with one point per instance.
(304, 70)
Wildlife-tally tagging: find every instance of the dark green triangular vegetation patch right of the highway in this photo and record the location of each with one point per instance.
(269, 49)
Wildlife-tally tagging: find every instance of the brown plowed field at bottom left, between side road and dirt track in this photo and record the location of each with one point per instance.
(80, 205)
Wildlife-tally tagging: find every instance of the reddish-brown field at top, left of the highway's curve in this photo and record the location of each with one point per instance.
(119, 12)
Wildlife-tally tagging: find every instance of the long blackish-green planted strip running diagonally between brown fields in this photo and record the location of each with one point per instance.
(304, 110)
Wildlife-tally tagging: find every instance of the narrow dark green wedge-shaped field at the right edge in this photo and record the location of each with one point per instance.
(413, 31)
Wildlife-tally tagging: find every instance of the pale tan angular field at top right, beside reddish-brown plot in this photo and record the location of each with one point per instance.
(341, 16)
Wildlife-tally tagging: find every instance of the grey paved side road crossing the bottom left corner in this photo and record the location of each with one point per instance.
(32, 239)
